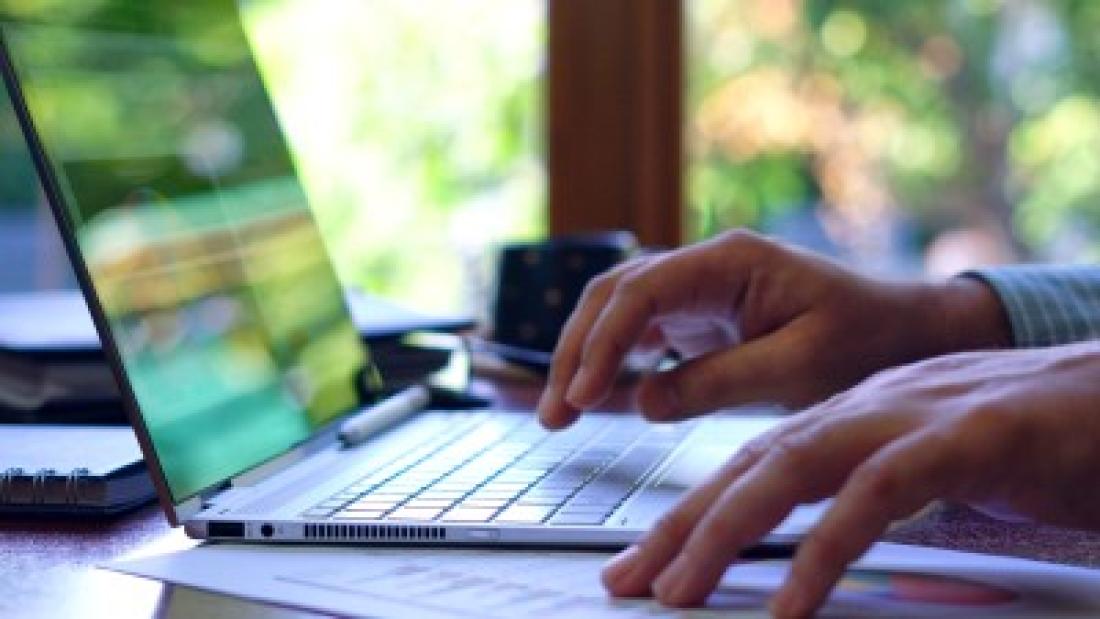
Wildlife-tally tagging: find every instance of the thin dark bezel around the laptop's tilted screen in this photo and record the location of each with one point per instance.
(177, 513)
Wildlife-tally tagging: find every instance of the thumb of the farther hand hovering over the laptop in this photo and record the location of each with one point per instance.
(762, 371)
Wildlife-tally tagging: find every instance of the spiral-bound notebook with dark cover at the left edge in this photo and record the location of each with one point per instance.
(71, 471)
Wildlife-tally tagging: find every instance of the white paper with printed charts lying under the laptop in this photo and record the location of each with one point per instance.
(379, 582)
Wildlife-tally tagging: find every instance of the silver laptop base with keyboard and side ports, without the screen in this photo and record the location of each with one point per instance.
(601, 484)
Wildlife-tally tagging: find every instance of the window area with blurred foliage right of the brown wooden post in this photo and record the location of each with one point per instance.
(911, 136)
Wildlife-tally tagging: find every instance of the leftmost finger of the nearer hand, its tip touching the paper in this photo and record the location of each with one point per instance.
(633, 572)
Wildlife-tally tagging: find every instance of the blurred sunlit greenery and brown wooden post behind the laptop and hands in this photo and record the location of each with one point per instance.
(910, 138)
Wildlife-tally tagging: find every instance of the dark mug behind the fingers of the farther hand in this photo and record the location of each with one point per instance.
(541, 284)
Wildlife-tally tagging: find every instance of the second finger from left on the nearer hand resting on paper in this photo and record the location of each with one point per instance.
(801, 468)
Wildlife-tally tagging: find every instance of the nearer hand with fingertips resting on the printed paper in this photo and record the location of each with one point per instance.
(1013, 432)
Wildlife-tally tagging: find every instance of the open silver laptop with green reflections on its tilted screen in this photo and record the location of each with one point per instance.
(226, 326)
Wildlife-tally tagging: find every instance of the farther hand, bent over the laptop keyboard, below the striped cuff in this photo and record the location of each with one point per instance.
(758, 323)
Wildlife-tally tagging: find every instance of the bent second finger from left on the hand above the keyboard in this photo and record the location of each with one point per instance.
(697, 279)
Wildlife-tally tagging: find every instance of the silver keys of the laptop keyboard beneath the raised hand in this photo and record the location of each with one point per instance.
(524, 477)
